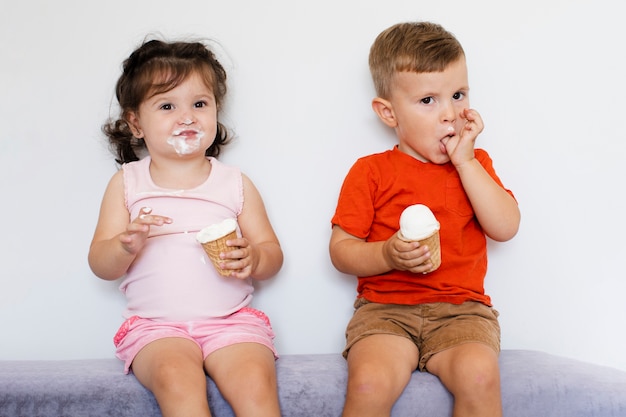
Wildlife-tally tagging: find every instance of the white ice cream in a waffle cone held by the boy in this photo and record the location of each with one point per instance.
(418, 223)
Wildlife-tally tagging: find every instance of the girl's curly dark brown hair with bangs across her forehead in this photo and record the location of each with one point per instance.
(157, 67)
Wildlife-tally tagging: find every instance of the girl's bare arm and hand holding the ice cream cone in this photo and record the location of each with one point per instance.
(260, 255)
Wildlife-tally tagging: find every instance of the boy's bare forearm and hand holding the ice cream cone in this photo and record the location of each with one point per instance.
(354, 256)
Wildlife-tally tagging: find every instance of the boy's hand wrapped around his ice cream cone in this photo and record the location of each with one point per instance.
(406, 256)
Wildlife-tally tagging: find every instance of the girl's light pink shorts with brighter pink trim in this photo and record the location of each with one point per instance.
(247, 325)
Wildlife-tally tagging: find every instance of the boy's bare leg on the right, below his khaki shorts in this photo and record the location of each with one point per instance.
(471, 373)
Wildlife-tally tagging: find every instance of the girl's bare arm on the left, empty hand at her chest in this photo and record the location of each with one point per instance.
(117, 241)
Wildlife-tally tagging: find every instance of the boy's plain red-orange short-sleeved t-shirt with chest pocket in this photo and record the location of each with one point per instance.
(376, 191)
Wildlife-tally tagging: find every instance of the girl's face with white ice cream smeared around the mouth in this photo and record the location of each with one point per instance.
(182, 121)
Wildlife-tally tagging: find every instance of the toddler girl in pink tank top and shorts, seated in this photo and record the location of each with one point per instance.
(184, 320)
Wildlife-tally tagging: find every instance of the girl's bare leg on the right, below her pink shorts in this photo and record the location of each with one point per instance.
(245, 374)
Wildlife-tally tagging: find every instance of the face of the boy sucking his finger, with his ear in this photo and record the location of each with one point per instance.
(424, 109)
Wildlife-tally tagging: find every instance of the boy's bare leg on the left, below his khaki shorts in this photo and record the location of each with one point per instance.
(379, 367)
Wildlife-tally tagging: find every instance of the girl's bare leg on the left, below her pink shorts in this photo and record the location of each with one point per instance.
(172, 369)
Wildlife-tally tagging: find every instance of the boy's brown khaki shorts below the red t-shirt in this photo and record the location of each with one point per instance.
(431, 327)
